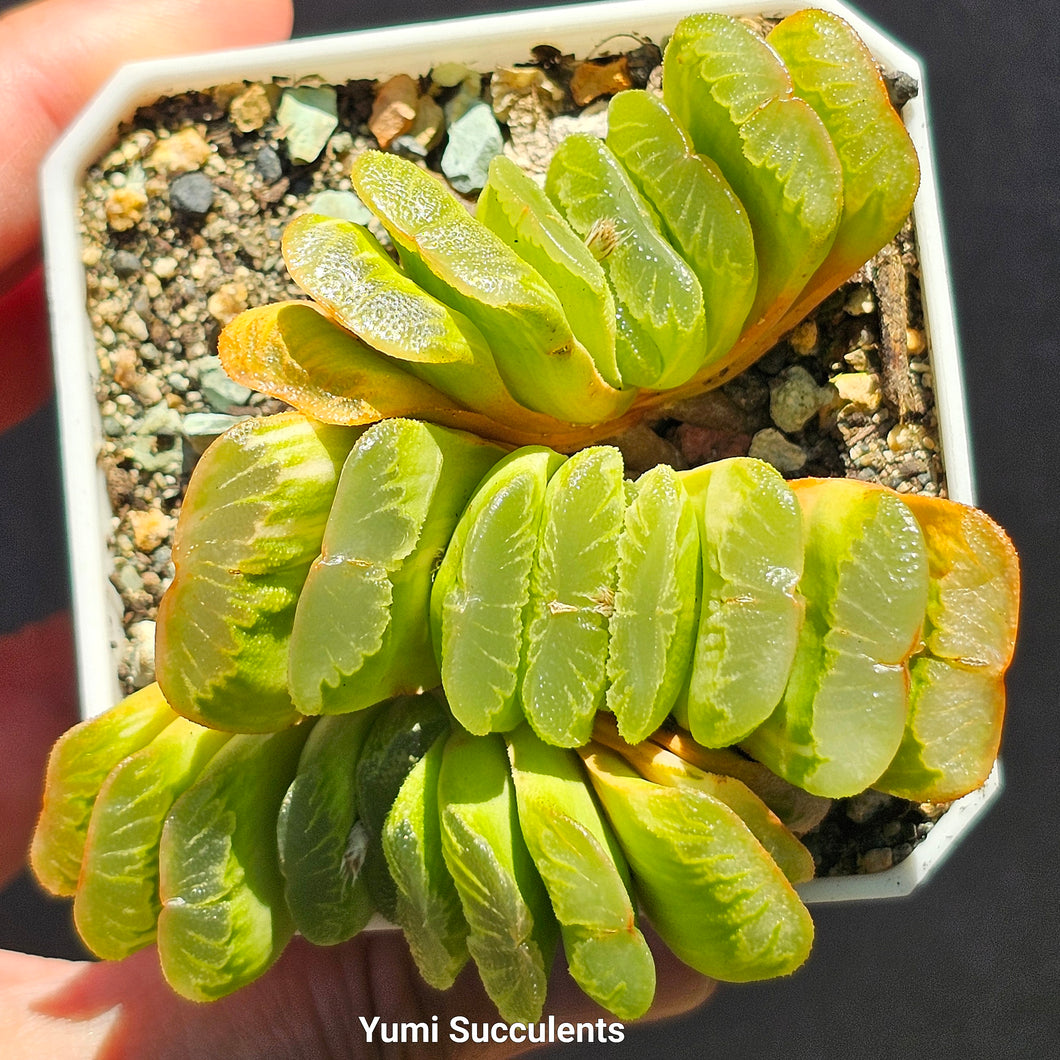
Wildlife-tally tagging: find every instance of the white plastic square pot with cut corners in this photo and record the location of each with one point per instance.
(482, 43)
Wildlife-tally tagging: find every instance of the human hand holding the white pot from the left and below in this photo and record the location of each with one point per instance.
(54, 56)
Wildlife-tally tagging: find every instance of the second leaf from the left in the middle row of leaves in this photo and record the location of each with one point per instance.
(362, 629)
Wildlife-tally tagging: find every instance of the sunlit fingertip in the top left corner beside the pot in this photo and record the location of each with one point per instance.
(55, 55)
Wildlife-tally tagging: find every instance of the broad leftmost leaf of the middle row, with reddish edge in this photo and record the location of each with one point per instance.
(252, 525)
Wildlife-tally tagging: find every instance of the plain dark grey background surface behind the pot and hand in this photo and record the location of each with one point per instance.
(968, 967)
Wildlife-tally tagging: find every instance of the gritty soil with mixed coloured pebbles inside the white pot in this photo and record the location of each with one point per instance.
(182, 227)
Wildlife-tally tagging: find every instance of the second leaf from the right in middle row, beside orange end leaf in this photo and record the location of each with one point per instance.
(842, 717)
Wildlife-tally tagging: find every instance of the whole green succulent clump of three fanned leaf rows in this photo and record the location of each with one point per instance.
(430, 652)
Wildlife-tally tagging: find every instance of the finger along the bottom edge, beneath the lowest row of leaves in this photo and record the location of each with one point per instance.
(311, 1004)
